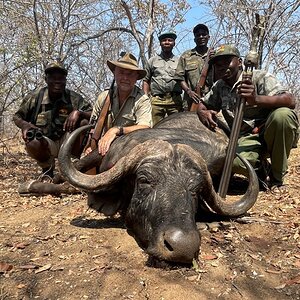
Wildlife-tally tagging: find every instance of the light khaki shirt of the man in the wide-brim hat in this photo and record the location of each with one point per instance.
(136, 110)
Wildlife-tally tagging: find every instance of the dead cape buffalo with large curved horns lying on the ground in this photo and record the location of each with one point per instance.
(158, 178)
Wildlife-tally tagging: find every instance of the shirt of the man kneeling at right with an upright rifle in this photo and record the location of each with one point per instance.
(223, 97)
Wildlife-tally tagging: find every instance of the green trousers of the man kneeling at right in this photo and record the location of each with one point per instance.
(275, 141)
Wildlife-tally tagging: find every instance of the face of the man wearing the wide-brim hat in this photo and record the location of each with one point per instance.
(125, 79)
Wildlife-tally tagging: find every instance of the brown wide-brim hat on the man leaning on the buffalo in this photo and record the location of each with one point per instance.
(128, 62)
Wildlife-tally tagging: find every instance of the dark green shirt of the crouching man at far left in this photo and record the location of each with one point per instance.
(51, 116)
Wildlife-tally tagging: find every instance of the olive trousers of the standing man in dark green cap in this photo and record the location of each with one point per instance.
(166, 105)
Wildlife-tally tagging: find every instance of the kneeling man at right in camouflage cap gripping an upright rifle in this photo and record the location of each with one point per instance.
(269, 125)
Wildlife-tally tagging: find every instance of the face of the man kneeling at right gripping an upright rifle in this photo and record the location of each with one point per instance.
(227, 68)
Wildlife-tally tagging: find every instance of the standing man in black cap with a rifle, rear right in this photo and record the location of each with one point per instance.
(190, 65)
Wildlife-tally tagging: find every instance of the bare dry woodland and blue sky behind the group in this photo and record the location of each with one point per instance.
(84, 34)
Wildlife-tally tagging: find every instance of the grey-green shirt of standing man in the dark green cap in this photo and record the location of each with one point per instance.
(160, 73)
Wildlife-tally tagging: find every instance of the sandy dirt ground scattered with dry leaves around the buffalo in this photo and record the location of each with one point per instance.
(55, 248)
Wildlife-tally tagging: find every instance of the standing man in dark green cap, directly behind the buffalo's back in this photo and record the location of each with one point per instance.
(165, 91)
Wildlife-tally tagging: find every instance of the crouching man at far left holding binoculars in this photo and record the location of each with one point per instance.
(48, 114)
